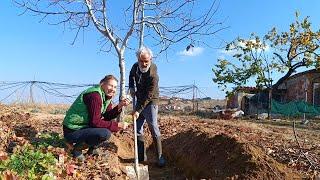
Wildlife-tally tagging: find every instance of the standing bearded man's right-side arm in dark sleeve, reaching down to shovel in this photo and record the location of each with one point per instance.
(154, 79)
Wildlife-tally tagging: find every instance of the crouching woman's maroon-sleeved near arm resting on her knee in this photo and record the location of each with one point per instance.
(93, 102)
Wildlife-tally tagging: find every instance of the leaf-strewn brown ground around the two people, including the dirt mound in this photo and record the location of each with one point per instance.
(32, 147)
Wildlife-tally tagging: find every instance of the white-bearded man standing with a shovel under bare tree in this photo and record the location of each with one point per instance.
(144, 77)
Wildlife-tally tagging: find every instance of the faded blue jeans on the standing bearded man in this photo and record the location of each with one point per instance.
(149, 114)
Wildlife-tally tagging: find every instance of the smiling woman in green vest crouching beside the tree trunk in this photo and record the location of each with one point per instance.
(88, 120)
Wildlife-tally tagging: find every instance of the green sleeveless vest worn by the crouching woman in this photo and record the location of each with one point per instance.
(77, 117)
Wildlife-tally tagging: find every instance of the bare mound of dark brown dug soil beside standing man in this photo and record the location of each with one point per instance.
(204, 155)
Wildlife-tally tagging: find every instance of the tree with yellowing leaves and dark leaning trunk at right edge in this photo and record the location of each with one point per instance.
(299, 47)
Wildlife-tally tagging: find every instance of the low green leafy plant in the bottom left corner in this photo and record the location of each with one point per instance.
(31, 163)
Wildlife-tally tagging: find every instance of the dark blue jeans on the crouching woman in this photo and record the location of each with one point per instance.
(90, 136)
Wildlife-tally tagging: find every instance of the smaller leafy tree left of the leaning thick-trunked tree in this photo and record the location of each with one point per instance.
(249, 59)
